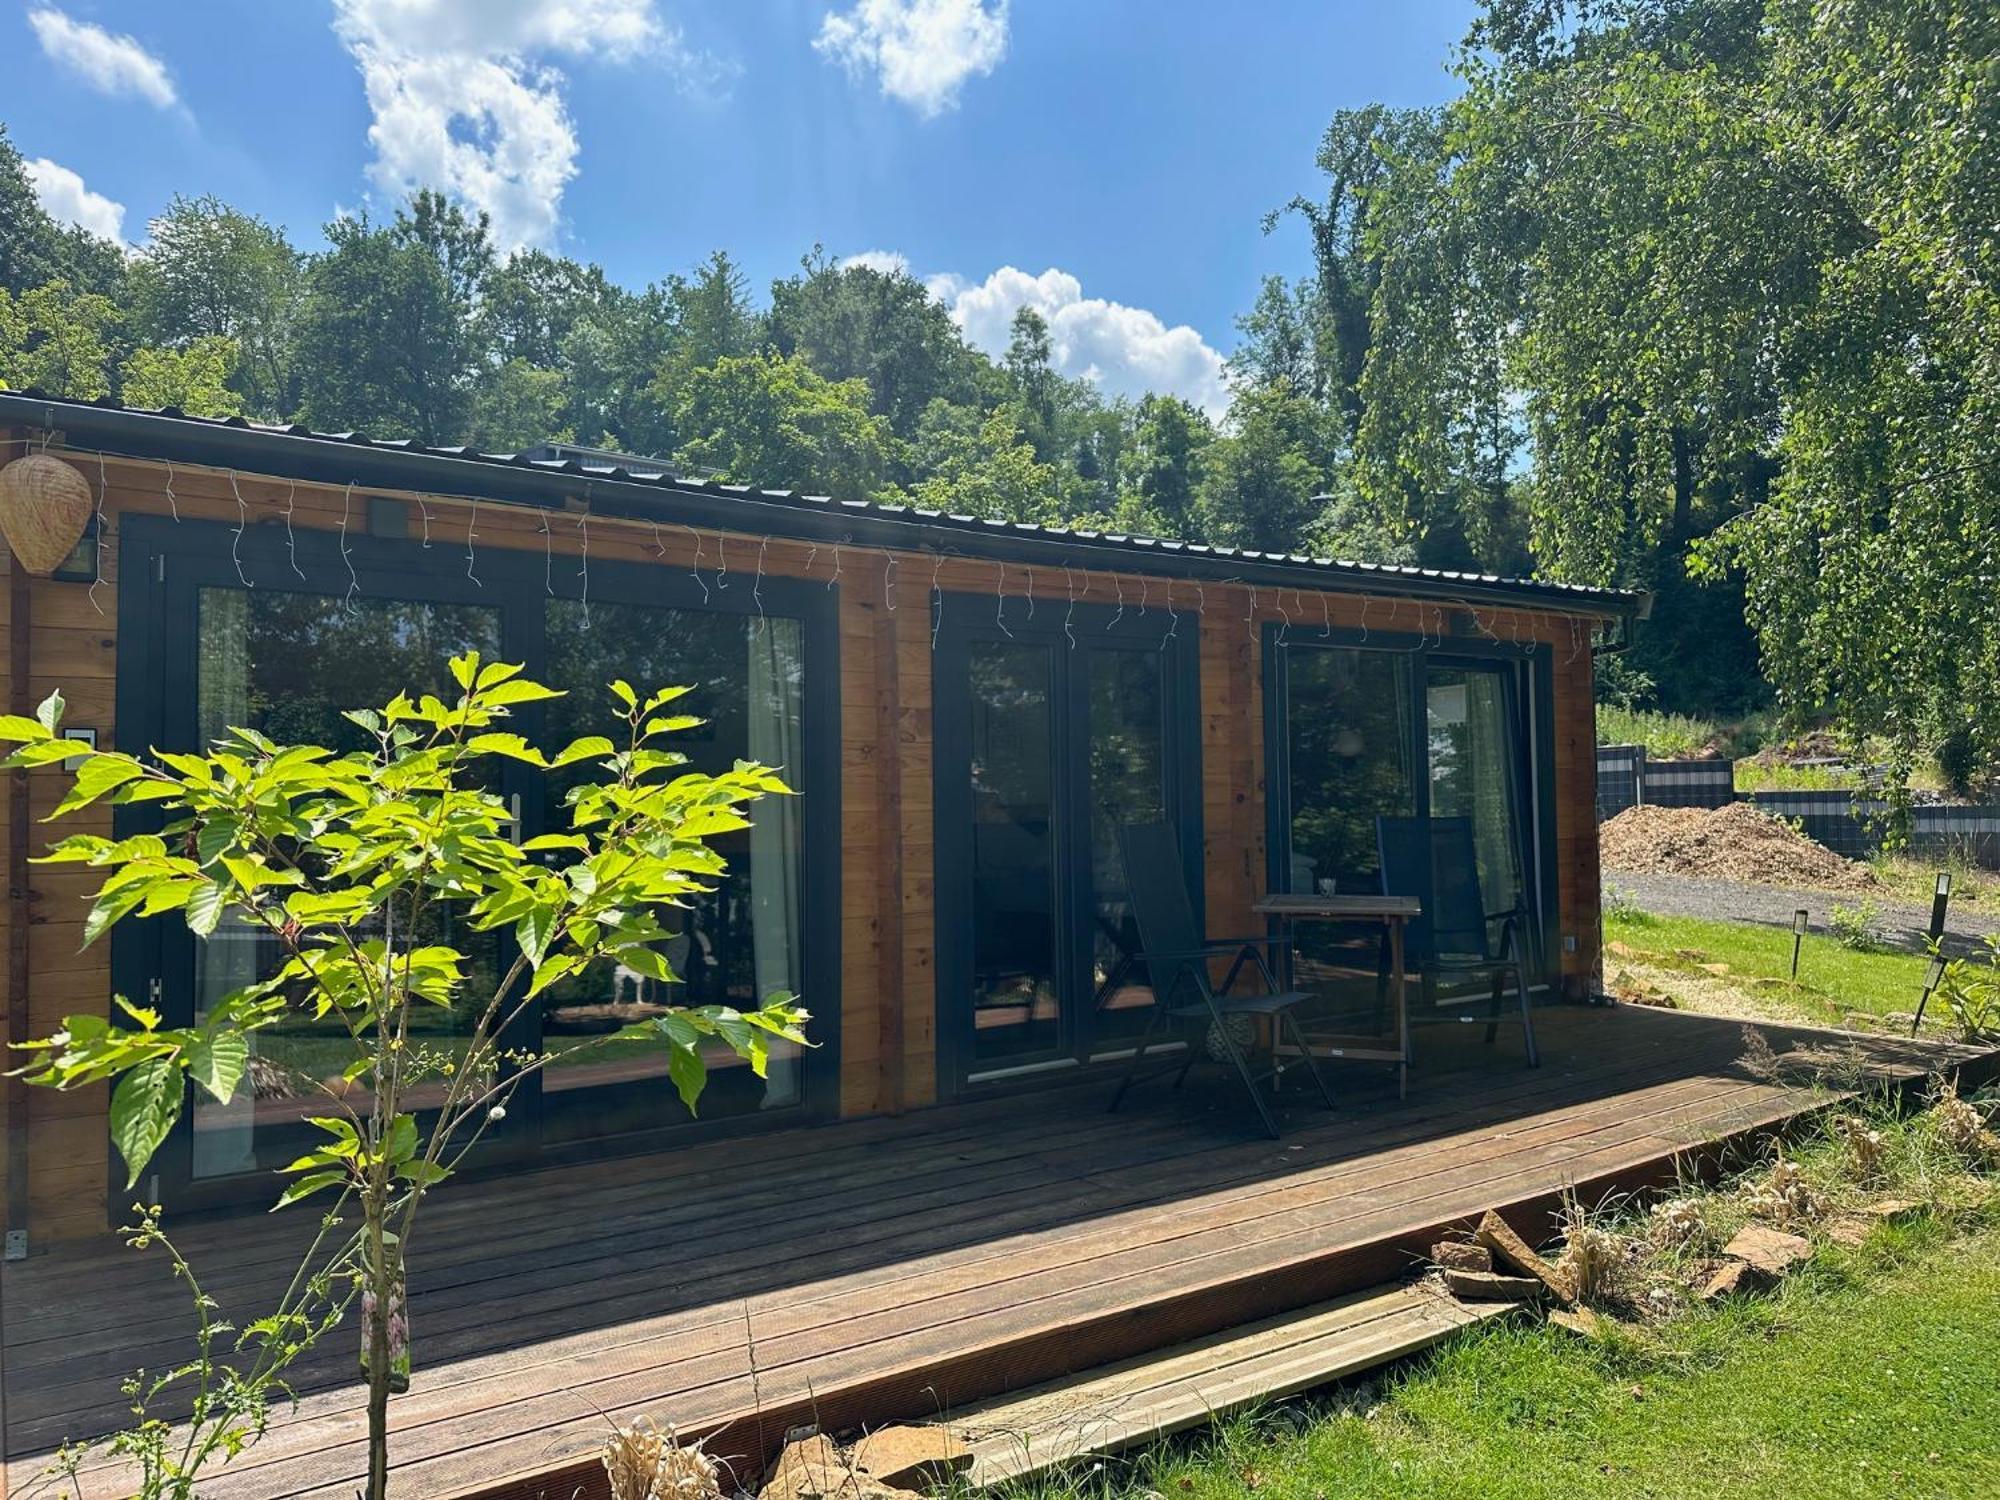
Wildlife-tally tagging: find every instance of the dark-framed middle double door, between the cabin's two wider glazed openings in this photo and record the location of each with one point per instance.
(1051, 735)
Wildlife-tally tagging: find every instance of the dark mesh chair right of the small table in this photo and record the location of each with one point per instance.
(1437, 861)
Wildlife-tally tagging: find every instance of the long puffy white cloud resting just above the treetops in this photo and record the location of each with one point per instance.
(1125, 351)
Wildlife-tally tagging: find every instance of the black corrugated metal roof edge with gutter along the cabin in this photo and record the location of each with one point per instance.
(293, 451)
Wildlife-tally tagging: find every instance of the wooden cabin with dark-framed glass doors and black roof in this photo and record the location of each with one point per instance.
(969, 709)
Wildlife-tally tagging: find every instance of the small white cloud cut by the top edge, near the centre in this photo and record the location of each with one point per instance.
(919, 49)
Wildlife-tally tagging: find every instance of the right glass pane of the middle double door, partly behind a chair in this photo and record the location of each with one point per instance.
(1129, 785)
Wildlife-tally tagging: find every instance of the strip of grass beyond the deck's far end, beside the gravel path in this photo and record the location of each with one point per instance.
(1835, 983)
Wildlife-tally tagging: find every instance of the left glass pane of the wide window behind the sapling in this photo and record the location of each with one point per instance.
(289, 665)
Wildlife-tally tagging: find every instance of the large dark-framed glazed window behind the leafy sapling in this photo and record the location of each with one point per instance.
(213, 647)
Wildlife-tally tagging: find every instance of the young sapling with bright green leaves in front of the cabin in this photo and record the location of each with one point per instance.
(355, 861)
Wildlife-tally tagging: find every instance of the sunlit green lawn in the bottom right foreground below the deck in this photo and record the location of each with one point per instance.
(1869, 1375)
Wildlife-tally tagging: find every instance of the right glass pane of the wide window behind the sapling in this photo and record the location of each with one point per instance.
(733, 945)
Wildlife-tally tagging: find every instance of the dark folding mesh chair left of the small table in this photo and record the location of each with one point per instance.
(1177, 967)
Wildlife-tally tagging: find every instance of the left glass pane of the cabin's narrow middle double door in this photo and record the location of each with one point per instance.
(1017, 1003)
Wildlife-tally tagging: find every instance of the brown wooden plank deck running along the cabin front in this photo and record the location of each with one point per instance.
(907, 1267)
